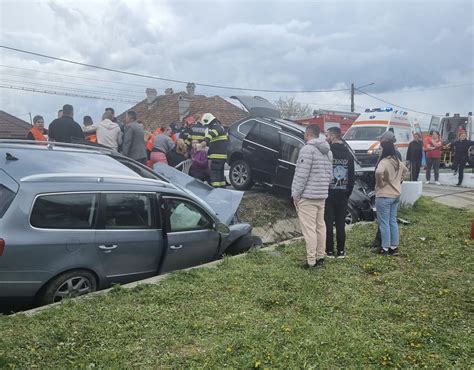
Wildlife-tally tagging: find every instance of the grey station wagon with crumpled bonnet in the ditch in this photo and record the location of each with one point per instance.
(75, 219)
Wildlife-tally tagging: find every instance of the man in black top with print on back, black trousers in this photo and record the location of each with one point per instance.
(340, 190)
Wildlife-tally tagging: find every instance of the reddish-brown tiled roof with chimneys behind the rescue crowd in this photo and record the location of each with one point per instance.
(155, 111)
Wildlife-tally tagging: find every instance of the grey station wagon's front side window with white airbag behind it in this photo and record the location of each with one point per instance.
(185, 216)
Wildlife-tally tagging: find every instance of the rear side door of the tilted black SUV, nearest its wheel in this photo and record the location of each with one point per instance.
(260, 149)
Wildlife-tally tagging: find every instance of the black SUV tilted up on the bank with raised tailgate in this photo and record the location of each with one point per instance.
(264, 148)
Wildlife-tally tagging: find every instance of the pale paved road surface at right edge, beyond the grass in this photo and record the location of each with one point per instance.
(453, 196)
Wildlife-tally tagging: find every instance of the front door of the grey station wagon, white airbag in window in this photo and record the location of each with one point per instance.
(191, 237)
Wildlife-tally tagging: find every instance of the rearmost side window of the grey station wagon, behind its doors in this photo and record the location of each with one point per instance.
(64, 211)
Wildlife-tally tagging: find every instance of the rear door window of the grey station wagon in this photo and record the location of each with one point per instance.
(129, 211)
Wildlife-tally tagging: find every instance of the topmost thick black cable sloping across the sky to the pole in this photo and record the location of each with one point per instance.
(165, 79)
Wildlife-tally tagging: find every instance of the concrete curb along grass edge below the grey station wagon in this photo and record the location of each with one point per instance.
(152, 280)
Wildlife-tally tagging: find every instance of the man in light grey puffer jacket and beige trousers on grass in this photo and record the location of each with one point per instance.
(309, 190)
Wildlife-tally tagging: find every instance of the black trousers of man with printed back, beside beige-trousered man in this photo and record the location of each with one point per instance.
(335, 214)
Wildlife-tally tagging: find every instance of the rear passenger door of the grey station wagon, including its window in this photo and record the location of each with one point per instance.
(129, 239)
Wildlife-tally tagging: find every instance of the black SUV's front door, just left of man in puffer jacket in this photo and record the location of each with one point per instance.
(289, 151)
